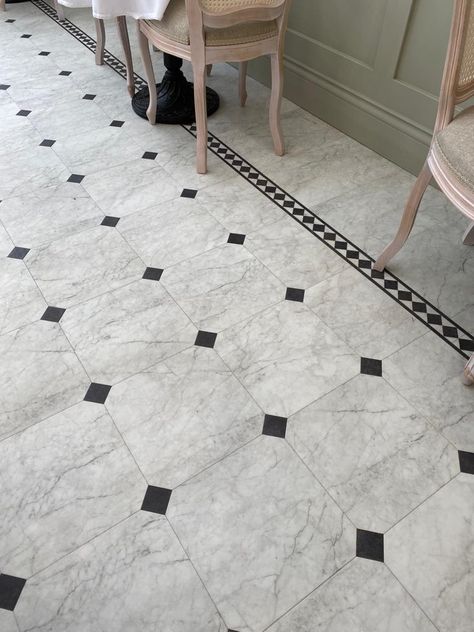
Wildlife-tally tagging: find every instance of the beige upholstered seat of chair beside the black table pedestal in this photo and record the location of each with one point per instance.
(174, 26)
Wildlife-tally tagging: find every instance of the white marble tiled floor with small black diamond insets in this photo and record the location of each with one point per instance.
(213, 415)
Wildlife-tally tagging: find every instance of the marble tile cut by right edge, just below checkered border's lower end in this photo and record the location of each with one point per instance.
(428, 373)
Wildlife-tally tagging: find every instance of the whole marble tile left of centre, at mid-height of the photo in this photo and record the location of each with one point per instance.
(125, 331)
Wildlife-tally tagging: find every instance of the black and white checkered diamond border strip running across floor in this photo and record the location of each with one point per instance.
(452, 333)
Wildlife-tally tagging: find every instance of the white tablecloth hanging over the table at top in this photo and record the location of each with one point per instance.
(105, 9)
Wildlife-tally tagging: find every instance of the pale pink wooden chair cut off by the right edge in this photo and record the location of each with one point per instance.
(451, 156)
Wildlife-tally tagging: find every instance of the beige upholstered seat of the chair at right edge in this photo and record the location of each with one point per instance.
(454, 146)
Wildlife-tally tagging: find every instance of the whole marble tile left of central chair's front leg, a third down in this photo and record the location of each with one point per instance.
(130, 187)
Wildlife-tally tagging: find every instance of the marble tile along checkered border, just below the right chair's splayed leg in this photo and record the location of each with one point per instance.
(376, 328)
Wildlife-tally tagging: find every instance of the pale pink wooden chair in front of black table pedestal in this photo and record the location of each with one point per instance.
(210, 31)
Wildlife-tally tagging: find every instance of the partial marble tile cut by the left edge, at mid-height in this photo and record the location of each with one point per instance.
(20, 298)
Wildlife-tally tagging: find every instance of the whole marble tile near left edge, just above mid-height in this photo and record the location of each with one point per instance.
(82, 266)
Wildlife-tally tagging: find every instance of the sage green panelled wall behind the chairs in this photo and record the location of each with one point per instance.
(372, 68)
